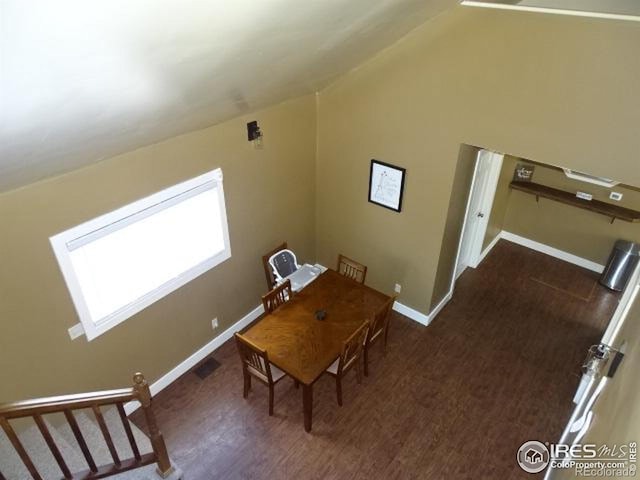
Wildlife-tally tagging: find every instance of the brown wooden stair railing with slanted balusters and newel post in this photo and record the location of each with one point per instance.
(66, 404)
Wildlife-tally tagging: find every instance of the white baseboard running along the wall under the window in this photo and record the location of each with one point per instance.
(195, 358)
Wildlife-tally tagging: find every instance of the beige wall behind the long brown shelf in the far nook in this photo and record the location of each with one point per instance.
(580, 232)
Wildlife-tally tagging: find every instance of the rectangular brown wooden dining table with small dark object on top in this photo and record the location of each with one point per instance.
(303, 346)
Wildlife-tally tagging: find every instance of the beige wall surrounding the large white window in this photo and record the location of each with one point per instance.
(264, 207)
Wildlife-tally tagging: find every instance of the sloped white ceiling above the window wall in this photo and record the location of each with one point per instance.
(84, 80)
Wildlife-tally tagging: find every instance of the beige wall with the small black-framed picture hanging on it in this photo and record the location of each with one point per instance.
(554, 88)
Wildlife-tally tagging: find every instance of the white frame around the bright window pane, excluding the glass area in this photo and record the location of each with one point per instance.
(129, 214)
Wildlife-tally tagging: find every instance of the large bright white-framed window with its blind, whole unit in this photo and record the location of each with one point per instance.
(122, 262)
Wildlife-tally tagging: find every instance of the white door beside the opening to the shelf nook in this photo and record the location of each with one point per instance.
(483, 190)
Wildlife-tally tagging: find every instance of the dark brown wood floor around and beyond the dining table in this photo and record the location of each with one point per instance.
(455, 400)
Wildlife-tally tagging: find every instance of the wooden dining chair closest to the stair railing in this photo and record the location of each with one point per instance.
(255, 362)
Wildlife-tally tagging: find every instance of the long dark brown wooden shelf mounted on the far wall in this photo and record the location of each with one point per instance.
(612, 211)
